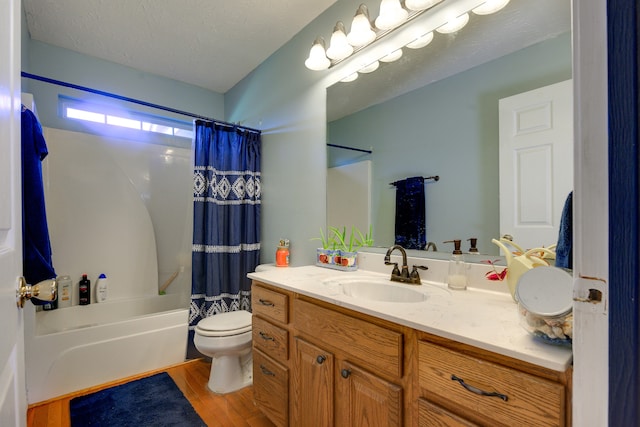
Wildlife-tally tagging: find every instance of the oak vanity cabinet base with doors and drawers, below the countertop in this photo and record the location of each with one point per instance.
(317, 364)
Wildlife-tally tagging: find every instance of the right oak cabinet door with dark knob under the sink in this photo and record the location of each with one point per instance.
(363, 399)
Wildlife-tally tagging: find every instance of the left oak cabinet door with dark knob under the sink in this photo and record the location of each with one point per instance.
(313, 390)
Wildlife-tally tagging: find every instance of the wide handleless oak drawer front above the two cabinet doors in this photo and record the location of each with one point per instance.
(373, 346)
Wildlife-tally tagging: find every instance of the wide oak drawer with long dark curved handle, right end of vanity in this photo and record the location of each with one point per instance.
(530, 401)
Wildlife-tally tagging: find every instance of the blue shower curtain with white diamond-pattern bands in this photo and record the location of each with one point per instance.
(226, 226)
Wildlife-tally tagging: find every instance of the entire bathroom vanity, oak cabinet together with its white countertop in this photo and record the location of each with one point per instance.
(323, 357)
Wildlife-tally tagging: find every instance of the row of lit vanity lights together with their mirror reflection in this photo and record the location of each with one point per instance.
(408, 23)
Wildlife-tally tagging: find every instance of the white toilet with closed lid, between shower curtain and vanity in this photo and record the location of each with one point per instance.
(226, 338)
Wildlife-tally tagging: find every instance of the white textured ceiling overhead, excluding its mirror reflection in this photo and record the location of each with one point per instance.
(208, 43)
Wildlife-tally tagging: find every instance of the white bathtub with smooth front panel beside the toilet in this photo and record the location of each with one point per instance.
(77, 347)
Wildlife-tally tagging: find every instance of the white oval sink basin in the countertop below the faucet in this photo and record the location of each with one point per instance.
(381, 290)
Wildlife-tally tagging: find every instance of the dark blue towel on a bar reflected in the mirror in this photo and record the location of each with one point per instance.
(410, 213)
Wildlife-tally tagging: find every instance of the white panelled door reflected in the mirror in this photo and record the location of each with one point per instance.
(536, 163)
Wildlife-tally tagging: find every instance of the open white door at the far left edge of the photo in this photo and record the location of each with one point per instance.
(13, 399)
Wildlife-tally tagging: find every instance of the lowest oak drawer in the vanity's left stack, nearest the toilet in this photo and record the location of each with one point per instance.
(271, 388)
